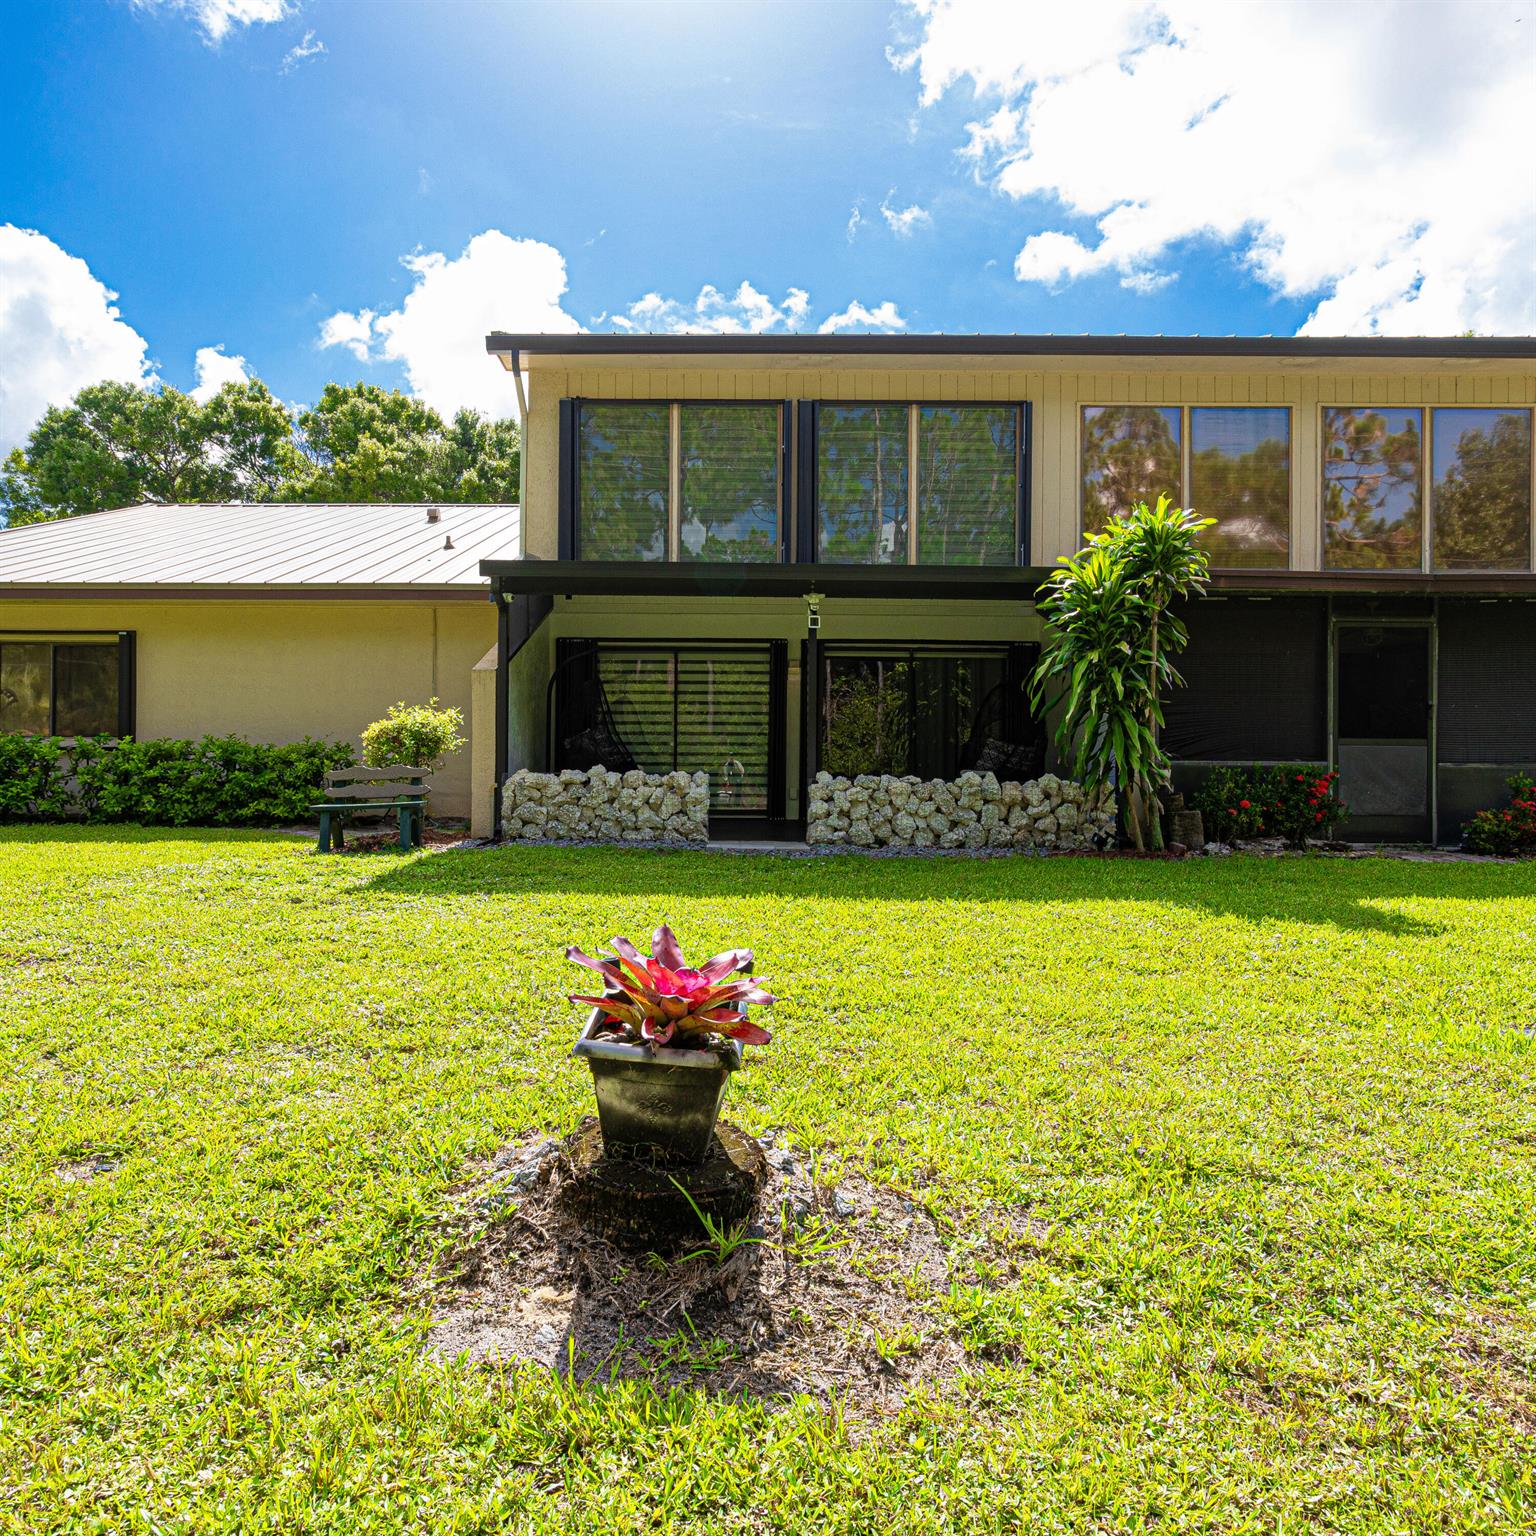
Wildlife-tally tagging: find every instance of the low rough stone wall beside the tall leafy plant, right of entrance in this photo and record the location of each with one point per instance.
(972, 812)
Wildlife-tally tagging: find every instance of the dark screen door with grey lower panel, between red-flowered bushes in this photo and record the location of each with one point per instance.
(1383, 689)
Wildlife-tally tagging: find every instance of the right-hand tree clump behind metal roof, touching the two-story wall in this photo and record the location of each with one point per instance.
(365, 443)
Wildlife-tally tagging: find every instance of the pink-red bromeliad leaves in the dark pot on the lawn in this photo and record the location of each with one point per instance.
(660, 999)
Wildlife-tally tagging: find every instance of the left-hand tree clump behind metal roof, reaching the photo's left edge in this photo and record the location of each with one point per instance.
(116, 445)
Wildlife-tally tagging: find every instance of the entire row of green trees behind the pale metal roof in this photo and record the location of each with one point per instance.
(116, 445)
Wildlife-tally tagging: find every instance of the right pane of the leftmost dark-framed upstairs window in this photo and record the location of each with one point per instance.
(730, 483)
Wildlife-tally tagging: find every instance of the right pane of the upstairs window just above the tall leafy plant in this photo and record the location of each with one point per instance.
(1240, 475)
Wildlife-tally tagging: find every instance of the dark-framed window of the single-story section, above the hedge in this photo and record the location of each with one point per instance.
(64, 687)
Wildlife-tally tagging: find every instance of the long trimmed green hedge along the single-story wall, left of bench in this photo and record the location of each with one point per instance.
(220, 781)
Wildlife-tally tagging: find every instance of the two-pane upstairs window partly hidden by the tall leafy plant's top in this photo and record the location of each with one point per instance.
(1231, 463)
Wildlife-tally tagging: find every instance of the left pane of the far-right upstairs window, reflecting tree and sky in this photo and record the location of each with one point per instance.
(1372, 492)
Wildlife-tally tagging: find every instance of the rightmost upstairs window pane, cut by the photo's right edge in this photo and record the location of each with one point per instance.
(1481, 463)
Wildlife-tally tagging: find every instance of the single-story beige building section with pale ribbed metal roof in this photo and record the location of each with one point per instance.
(270, 621)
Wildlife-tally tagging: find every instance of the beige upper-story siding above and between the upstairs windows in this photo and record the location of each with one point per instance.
(1058, 388)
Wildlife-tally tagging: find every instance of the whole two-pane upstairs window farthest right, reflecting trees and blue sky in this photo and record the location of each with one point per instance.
(1399, 492)
